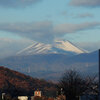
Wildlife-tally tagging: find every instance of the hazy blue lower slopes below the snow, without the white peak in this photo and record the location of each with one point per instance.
(52, 66)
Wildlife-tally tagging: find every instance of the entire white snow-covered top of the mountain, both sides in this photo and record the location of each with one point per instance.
(64, 47)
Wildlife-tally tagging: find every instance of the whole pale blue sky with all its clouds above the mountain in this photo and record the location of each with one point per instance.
(24, 21)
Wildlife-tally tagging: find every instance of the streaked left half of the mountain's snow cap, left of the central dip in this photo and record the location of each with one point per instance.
(37, 48)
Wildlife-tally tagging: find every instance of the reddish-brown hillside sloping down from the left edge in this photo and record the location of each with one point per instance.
(16, 83)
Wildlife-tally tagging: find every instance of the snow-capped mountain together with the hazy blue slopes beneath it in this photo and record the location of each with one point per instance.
(51, 61)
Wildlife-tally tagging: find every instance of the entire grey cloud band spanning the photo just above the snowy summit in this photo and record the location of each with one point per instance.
(45, 31)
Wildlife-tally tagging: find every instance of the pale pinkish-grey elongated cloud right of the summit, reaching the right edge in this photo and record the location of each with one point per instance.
(72, 28)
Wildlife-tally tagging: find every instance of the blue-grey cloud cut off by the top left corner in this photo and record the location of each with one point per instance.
(17, 3)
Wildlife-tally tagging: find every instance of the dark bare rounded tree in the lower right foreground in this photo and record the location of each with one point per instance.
(74, 85)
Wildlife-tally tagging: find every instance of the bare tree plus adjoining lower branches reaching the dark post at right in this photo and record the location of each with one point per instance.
(74, 85)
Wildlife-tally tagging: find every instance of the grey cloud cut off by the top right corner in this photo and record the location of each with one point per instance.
(86, 3)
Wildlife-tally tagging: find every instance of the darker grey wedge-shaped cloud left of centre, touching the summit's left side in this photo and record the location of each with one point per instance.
(40, 31)
